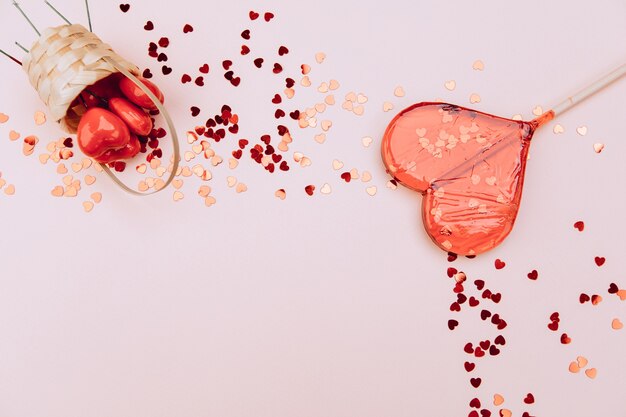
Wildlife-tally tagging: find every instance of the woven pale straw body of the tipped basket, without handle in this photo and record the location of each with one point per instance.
(62, 63)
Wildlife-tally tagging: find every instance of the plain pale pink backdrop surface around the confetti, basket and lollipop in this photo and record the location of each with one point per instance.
(328, 306)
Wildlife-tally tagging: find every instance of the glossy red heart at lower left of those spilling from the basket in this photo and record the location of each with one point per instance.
(100, 131)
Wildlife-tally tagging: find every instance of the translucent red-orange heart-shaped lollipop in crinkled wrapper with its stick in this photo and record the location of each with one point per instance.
(468, 165)
